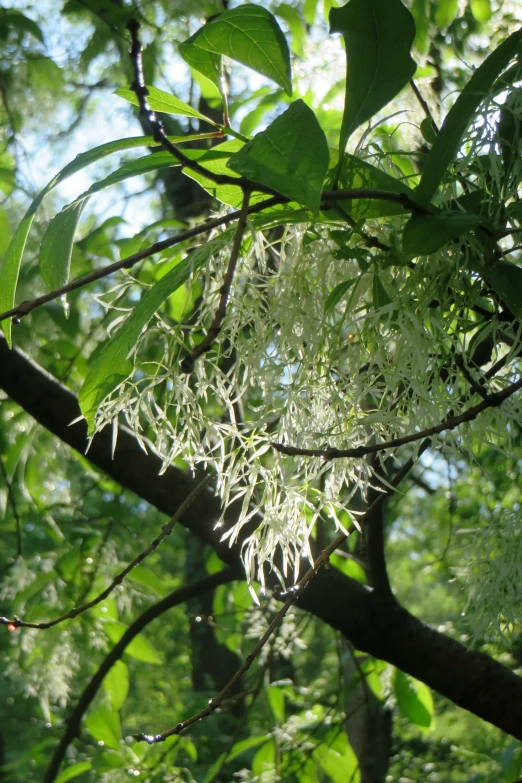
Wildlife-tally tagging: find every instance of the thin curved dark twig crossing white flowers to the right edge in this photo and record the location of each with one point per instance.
(494, 399)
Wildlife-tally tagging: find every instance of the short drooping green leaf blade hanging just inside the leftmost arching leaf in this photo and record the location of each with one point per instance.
(56, 247)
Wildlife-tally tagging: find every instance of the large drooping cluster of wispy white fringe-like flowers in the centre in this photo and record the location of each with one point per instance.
(292, 365)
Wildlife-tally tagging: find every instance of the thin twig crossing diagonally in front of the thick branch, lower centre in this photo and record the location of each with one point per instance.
(293, 594)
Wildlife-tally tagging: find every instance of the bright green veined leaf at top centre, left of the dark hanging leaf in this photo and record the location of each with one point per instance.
(252, 36)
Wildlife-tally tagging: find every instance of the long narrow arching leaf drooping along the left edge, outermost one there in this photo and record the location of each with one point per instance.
(10, 268)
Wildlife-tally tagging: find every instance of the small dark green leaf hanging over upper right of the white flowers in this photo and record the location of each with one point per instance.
(425, 234)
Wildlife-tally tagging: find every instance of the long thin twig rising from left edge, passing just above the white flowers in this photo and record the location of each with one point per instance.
(24, 308)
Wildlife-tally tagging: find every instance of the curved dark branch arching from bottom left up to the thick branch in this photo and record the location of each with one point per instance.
(174, 599)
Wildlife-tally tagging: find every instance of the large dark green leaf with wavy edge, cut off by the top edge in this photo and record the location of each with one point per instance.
(378, 35)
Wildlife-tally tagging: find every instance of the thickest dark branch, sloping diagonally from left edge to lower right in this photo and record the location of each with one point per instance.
(379, 626)
